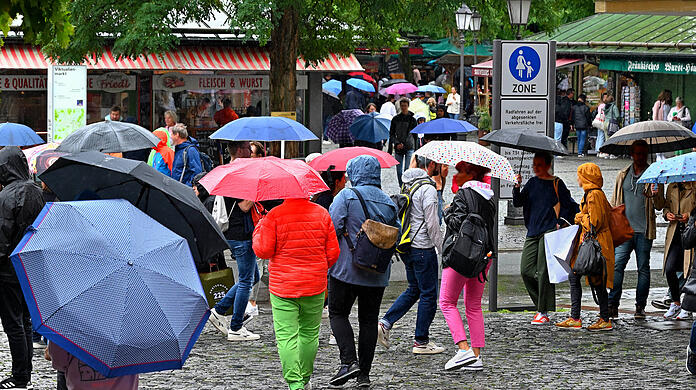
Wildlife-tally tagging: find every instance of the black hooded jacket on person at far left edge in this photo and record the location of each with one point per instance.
(21, 202)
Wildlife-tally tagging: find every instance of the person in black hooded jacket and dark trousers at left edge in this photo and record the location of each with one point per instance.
(21, 202)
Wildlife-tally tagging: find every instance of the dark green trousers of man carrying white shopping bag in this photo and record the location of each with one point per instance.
(535, 275)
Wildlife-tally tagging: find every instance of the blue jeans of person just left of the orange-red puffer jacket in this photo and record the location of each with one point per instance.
(238, 295)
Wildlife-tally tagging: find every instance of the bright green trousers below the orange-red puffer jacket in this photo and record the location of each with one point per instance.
(296, 322)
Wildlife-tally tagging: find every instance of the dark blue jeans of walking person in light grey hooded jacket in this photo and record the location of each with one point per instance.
(421, 272)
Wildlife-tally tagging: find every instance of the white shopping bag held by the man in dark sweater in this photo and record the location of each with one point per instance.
(559, 246)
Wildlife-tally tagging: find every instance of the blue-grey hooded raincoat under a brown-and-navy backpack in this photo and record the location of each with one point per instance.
(346, 213)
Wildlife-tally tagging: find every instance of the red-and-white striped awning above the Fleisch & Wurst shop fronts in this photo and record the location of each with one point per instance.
(181, 58)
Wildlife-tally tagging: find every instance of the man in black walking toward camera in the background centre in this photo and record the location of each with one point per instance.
(400, 138)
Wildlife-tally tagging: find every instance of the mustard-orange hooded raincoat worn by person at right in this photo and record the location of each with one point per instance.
(595, 210)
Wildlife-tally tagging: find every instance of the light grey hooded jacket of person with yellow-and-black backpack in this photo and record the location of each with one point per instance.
(425, 222)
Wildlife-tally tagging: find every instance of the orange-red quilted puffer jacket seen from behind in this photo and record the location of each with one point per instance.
(299, 239)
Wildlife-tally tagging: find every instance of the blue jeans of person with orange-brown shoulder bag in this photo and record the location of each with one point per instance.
(622, 253)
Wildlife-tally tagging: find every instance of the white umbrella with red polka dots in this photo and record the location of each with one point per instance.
(452, 152)
